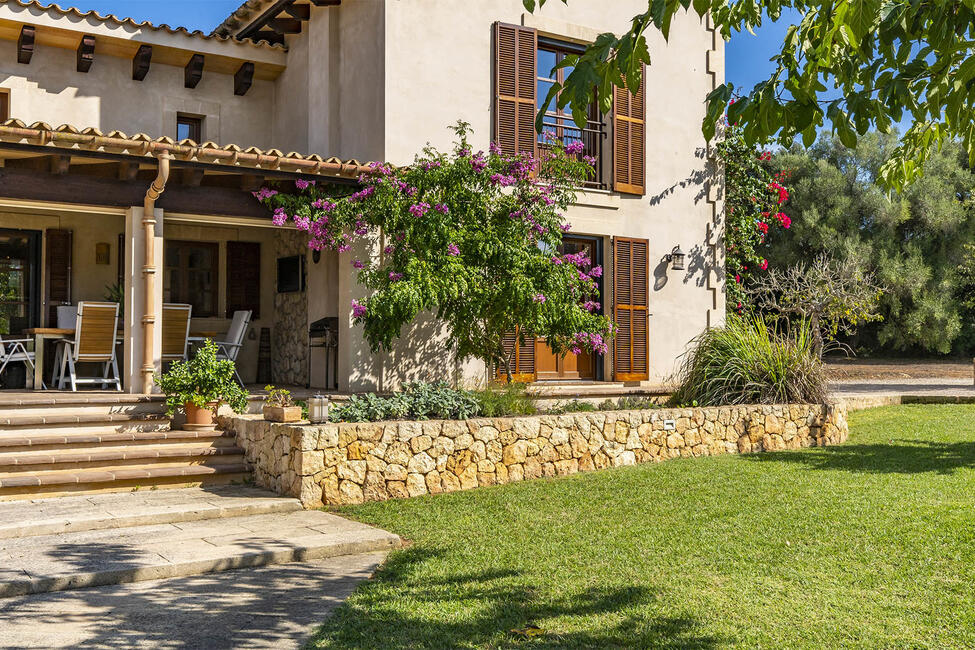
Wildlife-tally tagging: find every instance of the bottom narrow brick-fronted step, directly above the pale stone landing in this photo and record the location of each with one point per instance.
(143, 476)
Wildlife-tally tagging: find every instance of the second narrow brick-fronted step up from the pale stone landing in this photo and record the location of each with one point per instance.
(98, 456)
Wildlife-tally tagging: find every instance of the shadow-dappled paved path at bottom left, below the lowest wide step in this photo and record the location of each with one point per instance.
(268, 607)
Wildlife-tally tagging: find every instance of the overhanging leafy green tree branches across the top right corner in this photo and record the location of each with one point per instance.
(854, 65)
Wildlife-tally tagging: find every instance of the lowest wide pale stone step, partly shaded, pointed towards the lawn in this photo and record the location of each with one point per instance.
(85, 559)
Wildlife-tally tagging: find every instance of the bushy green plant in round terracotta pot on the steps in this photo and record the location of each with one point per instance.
(199, 386)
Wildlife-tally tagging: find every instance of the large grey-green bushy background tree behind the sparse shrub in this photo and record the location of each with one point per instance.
(913, 241)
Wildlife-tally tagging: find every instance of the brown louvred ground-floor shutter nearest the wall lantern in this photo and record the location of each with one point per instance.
(631, 287)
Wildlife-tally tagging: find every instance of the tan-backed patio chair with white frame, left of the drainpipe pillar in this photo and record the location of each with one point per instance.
(94, 342)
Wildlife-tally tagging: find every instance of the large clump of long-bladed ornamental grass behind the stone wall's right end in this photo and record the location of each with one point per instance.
(747, 362)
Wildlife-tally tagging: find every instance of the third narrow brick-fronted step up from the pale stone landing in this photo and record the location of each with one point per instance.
(41, 439)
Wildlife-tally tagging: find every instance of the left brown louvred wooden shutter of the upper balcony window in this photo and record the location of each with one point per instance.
(514, 88)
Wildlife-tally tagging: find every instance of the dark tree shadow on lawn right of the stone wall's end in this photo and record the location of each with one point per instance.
(894, 457)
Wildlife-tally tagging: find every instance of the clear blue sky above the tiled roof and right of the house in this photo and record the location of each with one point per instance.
(746, 56)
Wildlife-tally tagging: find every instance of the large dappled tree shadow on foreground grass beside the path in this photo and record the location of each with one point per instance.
(497, 608)
